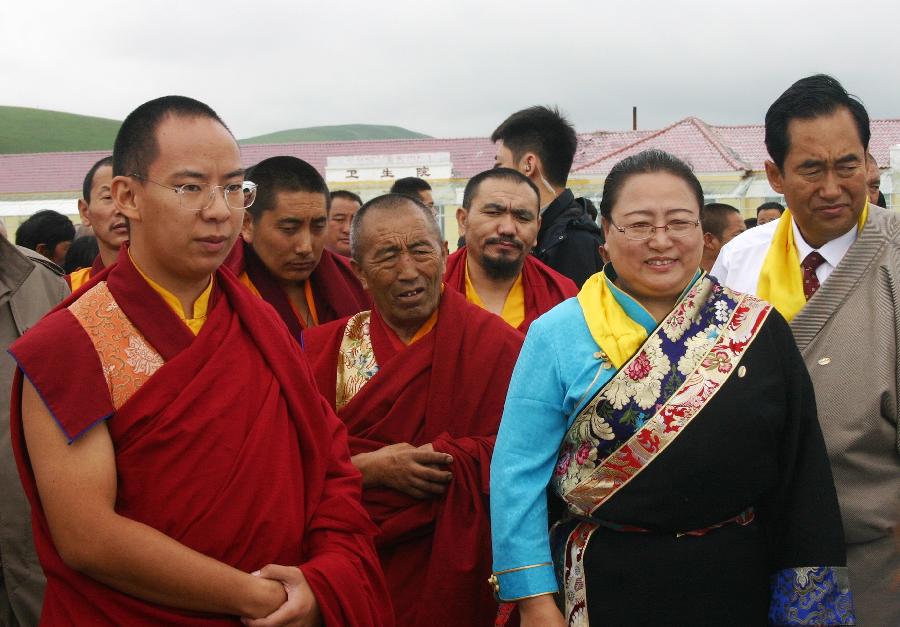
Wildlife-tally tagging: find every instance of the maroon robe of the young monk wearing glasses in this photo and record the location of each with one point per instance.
(227, 447)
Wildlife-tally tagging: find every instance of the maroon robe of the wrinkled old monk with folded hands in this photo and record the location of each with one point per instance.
(448, 389)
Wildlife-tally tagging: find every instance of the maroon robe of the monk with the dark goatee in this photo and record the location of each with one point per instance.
(544, 287)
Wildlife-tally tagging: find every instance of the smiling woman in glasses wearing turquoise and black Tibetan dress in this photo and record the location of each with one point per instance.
(675, 423)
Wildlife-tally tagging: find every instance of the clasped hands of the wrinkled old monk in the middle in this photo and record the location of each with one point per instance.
(420, 472)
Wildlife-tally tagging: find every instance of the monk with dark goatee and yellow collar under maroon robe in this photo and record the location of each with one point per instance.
(500, 218)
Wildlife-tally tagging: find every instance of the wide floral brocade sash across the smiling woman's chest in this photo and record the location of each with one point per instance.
(656, 394)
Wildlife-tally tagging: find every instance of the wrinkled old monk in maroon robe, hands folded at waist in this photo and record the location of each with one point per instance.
(420, 382)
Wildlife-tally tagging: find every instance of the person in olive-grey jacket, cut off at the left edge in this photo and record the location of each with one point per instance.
(30, 286)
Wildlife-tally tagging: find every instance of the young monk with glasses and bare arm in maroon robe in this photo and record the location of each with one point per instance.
(193, 476)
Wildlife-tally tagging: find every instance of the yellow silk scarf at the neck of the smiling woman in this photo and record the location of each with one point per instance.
(612, 329)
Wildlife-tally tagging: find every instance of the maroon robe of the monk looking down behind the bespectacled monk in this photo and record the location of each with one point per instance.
(336, 290)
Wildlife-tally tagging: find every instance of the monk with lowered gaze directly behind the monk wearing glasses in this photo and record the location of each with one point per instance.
(282, 256)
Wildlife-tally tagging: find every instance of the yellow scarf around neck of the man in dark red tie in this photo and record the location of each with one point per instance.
(781, 279)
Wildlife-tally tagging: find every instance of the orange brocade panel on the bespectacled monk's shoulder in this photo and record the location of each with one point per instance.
(126, 357)
